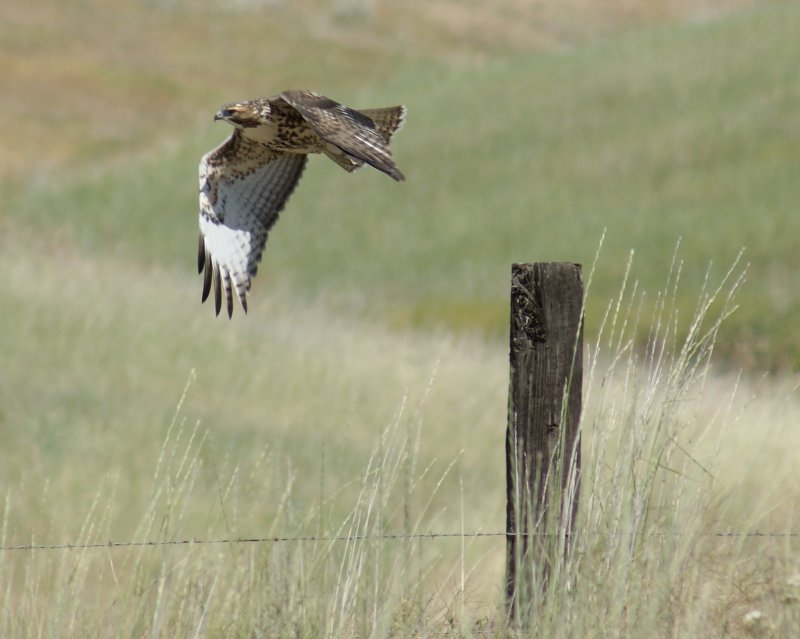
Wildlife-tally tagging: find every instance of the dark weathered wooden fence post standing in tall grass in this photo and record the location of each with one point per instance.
(542, 443)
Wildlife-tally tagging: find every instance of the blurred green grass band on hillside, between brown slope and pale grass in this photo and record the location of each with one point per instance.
(658, 135)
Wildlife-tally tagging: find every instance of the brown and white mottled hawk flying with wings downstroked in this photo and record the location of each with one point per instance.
(246, 181)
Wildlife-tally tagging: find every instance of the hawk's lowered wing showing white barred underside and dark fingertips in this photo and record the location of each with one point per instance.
(243, 188)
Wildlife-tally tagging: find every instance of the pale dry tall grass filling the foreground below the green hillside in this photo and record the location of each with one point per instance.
(89, 386)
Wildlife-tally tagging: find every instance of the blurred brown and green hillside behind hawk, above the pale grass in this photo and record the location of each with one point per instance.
(533, 127)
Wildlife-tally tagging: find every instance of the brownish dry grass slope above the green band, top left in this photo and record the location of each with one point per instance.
(86, 82)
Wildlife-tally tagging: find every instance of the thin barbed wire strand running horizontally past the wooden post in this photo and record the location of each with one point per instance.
(352, 538)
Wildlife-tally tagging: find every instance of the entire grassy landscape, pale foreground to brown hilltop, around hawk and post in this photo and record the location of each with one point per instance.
(365, 393)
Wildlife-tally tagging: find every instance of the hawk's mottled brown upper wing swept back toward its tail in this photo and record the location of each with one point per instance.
(348, 130)
